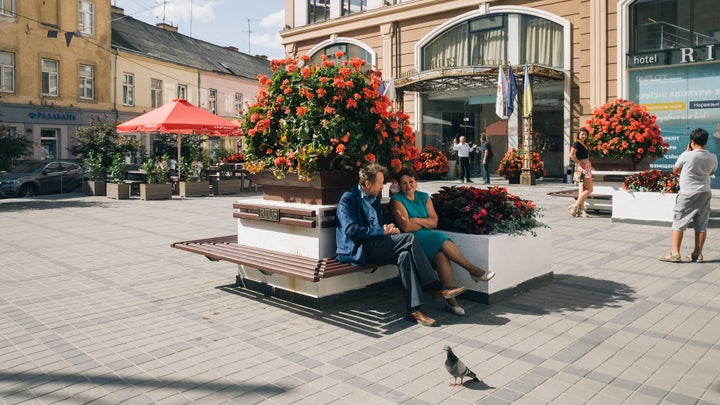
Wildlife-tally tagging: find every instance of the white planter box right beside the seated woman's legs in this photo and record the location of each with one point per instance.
(520, 263)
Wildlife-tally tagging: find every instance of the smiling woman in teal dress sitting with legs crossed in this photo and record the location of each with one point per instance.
(414, 212)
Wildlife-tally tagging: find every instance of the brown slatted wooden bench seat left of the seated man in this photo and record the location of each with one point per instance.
(270, 262)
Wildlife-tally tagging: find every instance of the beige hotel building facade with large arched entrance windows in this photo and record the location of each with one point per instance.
(443, 57)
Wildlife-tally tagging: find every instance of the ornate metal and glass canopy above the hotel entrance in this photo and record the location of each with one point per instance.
(444, 79)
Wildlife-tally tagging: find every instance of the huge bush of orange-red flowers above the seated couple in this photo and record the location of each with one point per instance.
(309, 119)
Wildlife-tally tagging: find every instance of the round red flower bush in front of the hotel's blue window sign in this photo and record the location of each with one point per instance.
(625, 131)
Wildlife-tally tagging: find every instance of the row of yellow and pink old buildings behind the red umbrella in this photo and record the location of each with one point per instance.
(62, 63)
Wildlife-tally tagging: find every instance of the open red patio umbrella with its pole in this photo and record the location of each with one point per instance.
(181, 118)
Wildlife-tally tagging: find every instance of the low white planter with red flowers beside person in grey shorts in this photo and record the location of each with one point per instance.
(647, 197)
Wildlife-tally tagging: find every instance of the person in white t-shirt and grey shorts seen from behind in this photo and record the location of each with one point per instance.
(695, 166)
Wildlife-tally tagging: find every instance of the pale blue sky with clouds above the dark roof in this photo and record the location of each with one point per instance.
(220, 22)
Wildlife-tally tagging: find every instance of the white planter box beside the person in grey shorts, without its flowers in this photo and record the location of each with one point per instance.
(642, 207)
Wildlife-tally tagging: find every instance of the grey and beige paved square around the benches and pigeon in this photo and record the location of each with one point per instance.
(95, 307)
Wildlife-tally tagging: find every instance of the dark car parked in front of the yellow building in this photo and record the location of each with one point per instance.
(31, 178)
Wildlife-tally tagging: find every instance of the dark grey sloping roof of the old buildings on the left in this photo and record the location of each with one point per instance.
(138, 37)
